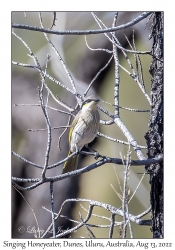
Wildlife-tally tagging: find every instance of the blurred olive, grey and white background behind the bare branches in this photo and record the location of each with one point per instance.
(83, 65)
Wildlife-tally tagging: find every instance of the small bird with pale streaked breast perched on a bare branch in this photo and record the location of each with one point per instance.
(83, 130)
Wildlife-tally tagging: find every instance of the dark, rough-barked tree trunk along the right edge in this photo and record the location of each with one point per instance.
(154, 136)
